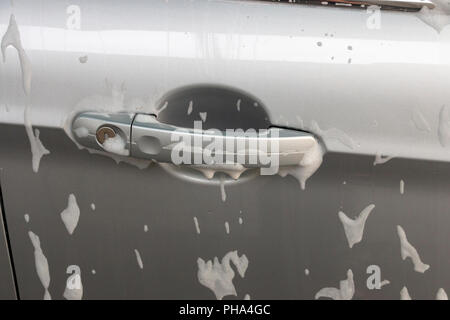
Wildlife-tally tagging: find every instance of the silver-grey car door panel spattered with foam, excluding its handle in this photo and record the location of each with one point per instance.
(369, 86)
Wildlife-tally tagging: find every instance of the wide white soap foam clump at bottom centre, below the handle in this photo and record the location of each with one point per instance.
(218, 276)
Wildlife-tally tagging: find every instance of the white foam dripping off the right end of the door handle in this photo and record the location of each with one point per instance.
(306, 168)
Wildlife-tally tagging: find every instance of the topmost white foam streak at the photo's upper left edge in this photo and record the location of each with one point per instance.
(12, 38)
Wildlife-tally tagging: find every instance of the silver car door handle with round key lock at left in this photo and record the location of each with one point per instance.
(142, 136)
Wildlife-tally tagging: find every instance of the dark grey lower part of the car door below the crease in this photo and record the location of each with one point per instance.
(284, 230)
